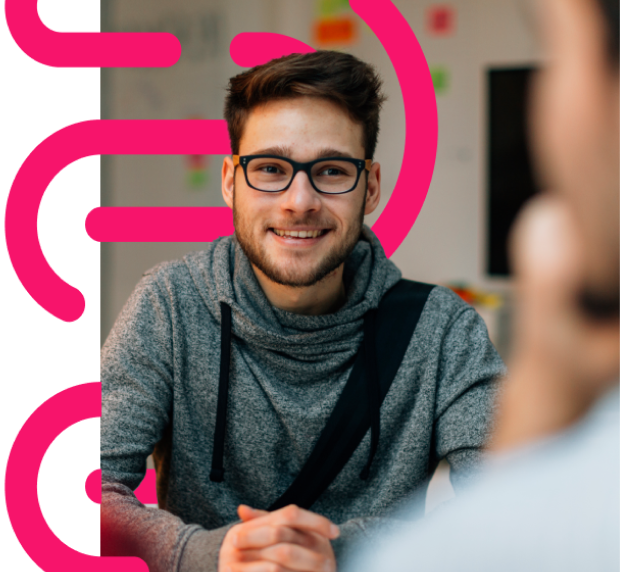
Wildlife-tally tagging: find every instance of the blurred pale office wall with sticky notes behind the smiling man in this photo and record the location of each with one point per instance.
(480, 53)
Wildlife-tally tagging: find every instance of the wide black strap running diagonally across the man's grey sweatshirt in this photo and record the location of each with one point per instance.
(395, 322)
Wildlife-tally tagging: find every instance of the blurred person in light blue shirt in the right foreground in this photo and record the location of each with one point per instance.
(551, 499)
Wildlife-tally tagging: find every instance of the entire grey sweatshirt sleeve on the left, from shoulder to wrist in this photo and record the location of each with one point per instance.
(136, 378)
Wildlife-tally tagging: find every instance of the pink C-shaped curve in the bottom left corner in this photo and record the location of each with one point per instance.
(21, 463)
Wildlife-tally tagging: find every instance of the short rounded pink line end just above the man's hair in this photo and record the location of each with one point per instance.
(250, 49)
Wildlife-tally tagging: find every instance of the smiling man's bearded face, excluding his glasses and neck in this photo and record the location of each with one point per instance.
(302, 129)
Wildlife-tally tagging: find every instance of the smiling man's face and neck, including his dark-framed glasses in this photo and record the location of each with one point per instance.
(299, 231)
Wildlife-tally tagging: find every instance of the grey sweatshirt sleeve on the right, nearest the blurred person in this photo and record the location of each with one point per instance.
(468, 375)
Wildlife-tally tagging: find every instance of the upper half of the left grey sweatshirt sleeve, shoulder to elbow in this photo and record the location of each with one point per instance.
(136, 383)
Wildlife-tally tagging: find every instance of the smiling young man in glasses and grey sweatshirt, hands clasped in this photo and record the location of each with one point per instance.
(230, 362)
